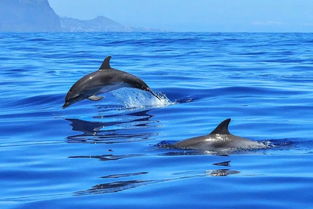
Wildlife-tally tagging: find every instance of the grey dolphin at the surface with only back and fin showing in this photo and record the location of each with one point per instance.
(219, 140)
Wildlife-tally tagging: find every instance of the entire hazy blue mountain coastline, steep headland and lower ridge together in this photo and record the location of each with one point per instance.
(38, 16)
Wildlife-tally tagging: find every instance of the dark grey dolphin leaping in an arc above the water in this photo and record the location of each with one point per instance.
(103, 80)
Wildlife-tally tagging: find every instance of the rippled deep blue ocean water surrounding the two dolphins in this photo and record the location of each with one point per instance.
(105, 154)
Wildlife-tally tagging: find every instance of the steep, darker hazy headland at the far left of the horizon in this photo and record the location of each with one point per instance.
(28, 16)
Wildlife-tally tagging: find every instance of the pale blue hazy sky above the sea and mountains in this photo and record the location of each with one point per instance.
(197, 15)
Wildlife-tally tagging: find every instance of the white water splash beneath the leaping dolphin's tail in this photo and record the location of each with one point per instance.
(133, 98)
